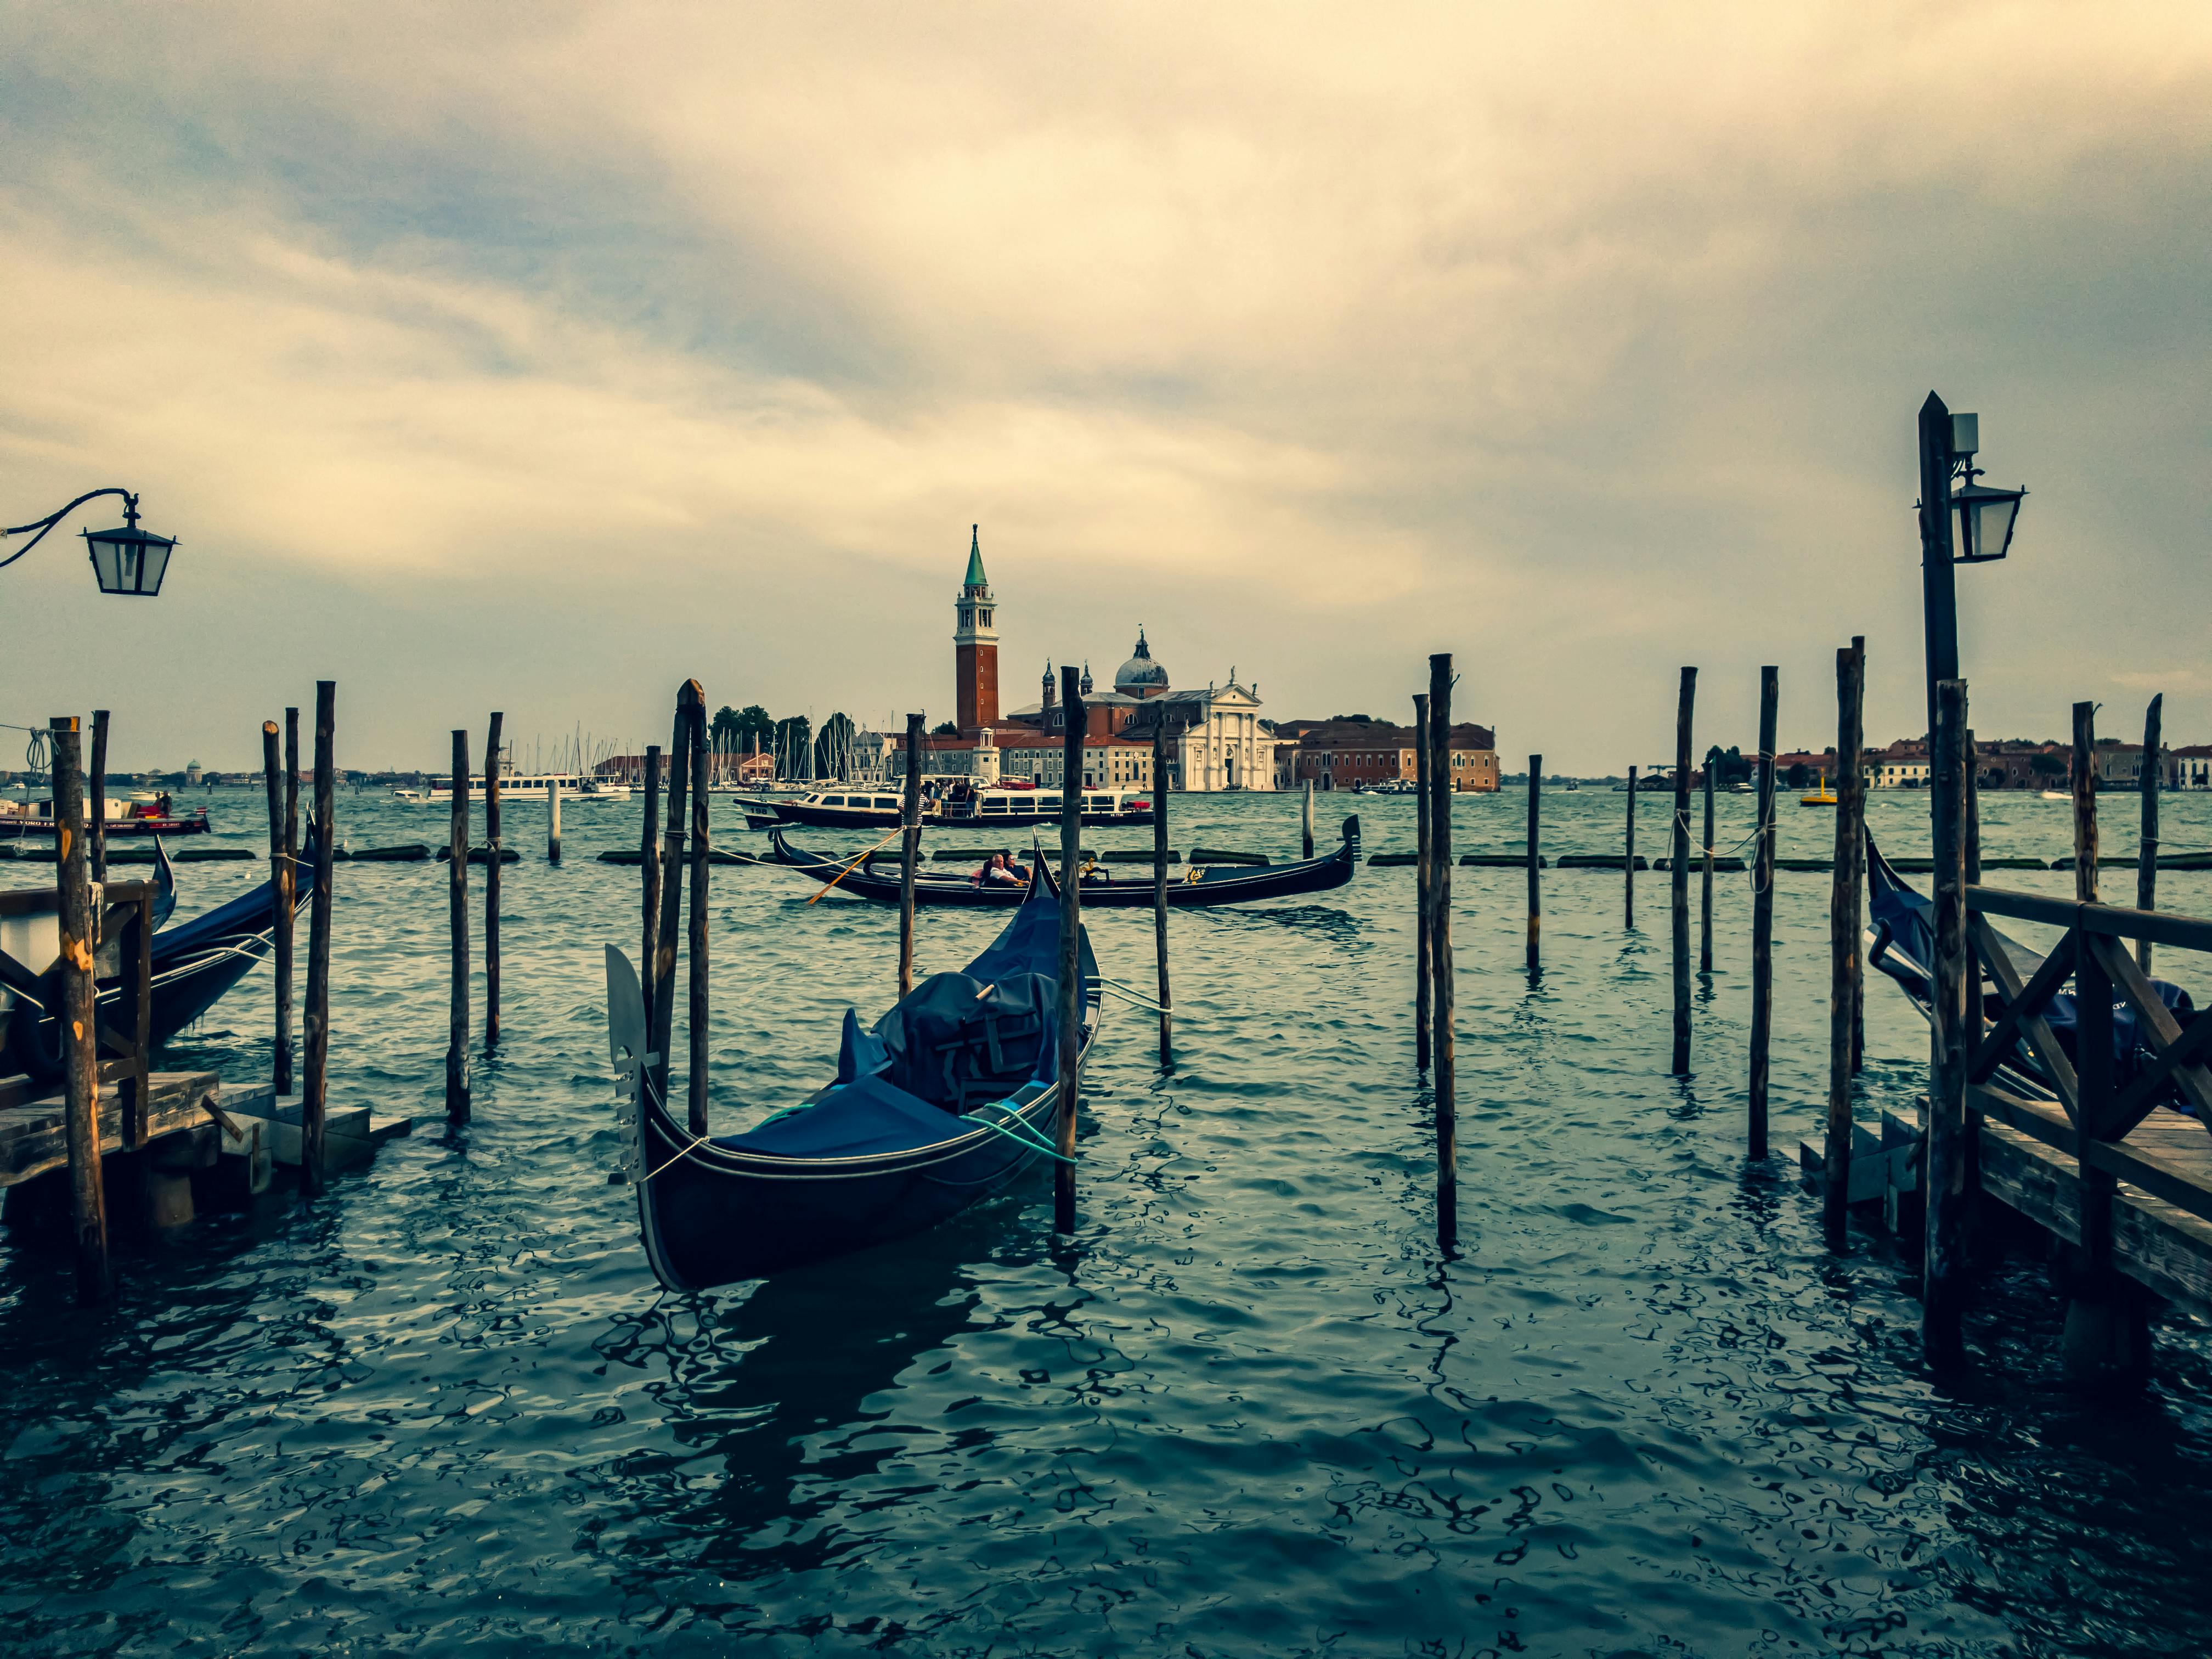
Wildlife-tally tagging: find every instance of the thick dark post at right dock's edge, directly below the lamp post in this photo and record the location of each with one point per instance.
(1943, 1269)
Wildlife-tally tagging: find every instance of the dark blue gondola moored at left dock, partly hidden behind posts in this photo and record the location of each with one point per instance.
(194, 966)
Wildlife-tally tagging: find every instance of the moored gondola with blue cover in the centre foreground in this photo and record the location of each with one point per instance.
(941, 1105)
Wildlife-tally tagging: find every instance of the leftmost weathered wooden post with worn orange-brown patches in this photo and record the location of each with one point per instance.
(81, 1041)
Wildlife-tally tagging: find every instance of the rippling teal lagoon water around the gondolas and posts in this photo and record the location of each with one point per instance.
(1249, 1410)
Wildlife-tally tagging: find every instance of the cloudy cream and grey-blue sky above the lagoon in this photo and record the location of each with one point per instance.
(543, 357)
